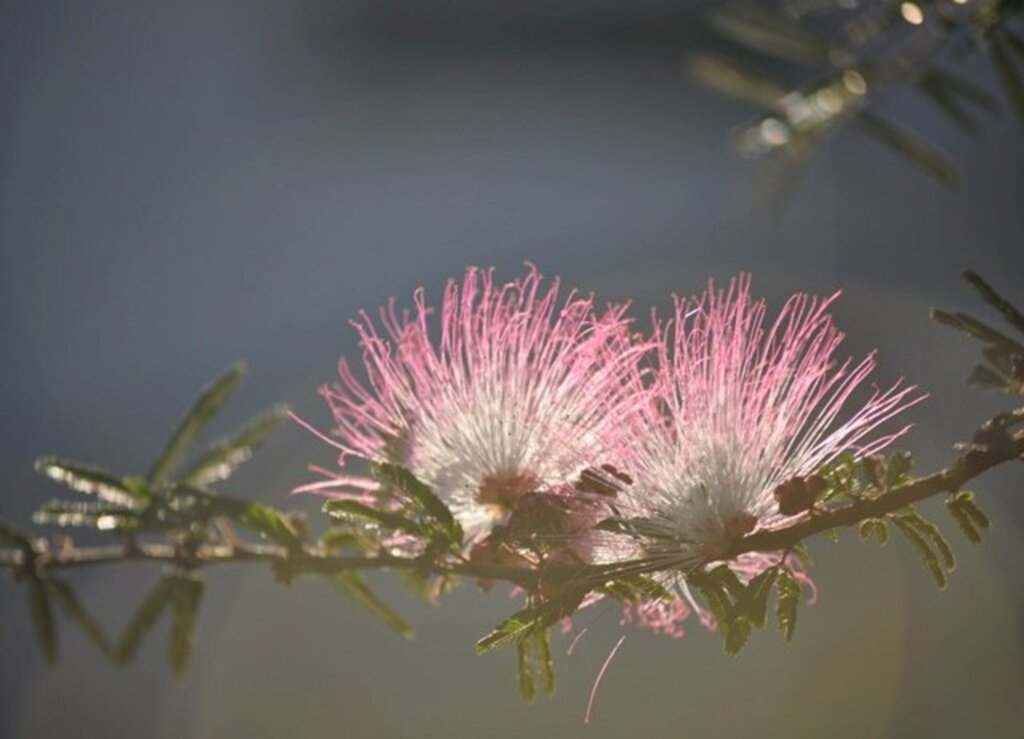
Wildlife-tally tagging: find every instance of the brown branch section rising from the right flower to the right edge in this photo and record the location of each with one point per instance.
(970, 466)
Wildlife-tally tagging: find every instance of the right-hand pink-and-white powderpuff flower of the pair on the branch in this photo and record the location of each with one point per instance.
(745, 412)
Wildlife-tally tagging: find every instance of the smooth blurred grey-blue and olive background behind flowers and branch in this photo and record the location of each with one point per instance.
(187, 185)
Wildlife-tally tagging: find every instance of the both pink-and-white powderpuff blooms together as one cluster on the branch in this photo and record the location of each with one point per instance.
(539, 419)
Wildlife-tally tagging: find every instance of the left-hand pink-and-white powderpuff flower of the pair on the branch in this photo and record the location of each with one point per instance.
(519, 394)
